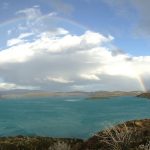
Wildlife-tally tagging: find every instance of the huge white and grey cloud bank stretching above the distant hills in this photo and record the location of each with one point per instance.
(61, 61)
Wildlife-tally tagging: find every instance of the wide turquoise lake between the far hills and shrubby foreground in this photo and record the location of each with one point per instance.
(67, 116)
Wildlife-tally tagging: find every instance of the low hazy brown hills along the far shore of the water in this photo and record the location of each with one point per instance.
(92, 95)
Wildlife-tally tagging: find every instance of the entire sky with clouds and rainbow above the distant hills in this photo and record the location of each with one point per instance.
(70, 45)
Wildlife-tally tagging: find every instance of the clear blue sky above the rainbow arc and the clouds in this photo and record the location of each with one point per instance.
(101, 16)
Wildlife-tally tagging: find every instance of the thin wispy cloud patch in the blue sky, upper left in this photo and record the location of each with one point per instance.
(35, 20)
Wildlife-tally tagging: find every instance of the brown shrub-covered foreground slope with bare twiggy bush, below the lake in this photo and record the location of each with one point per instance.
(132, 135)
